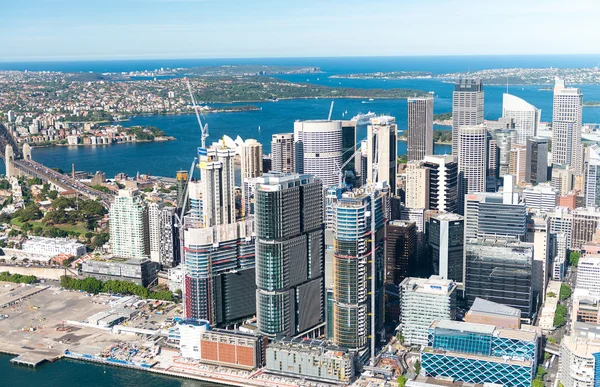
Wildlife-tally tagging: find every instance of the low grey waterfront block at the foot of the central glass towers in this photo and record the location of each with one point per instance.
(310, 359)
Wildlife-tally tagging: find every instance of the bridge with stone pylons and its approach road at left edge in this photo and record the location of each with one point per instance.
(19, 163)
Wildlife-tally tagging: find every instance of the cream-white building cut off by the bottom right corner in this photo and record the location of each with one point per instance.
(579, 364)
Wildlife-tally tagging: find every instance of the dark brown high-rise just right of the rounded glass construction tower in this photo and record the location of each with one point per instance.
(401, 250)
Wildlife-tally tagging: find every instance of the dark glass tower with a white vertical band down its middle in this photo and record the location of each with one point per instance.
(446, 245)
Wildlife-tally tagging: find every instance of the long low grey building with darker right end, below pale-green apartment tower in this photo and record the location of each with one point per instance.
(140, 271)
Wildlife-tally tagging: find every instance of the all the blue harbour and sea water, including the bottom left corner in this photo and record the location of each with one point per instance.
(164, 158)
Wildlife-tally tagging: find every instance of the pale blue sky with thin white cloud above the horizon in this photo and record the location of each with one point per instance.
(33, 30)
